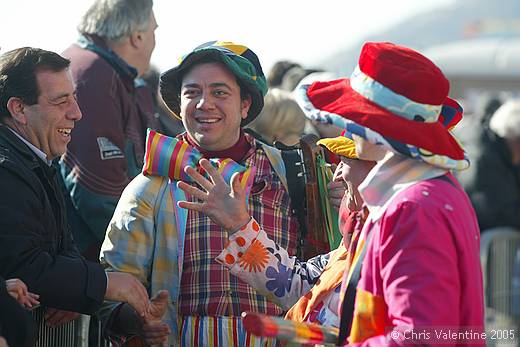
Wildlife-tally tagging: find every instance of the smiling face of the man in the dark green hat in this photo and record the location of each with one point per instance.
(211, 106)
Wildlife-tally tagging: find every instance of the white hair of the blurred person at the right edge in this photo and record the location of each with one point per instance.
(505, 122)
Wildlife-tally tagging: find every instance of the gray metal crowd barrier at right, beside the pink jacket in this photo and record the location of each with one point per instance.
(500, 259)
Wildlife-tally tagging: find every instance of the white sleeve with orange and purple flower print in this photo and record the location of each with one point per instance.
(253, 257)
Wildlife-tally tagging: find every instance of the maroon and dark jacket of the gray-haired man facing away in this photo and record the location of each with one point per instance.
(107, 146)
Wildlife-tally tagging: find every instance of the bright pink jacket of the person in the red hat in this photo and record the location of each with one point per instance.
(421, 280)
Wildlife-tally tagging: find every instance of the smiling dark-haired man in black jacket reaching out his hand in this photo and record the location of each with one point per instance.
(38, 110)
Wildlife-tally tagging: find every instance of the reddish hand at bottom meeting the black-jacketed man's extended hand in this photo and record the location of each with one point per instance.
(154, 330)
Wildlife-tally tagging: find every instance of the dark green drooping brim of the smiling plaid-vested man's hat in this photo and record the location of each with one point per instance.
(171, 81)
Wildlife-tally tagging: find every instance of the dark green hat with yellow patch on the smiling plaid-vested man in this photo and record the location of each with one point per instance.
(240, 60)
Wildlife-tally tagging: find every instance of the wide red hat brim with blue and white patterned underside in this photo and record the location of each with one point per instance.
(335, 102)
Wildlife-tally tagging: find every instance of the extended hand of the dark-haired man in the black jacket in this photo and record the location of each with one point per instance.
(125, 287)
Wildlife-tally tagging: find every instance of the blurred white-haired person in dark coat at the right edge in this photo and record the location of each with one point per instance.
(493, 180)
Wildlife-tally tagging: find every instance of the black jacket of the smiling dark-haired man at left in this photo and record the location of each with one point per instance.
(35, 240)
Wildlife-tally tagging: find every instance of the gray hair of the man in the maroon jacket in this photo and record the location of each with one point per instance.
(116, 19)
